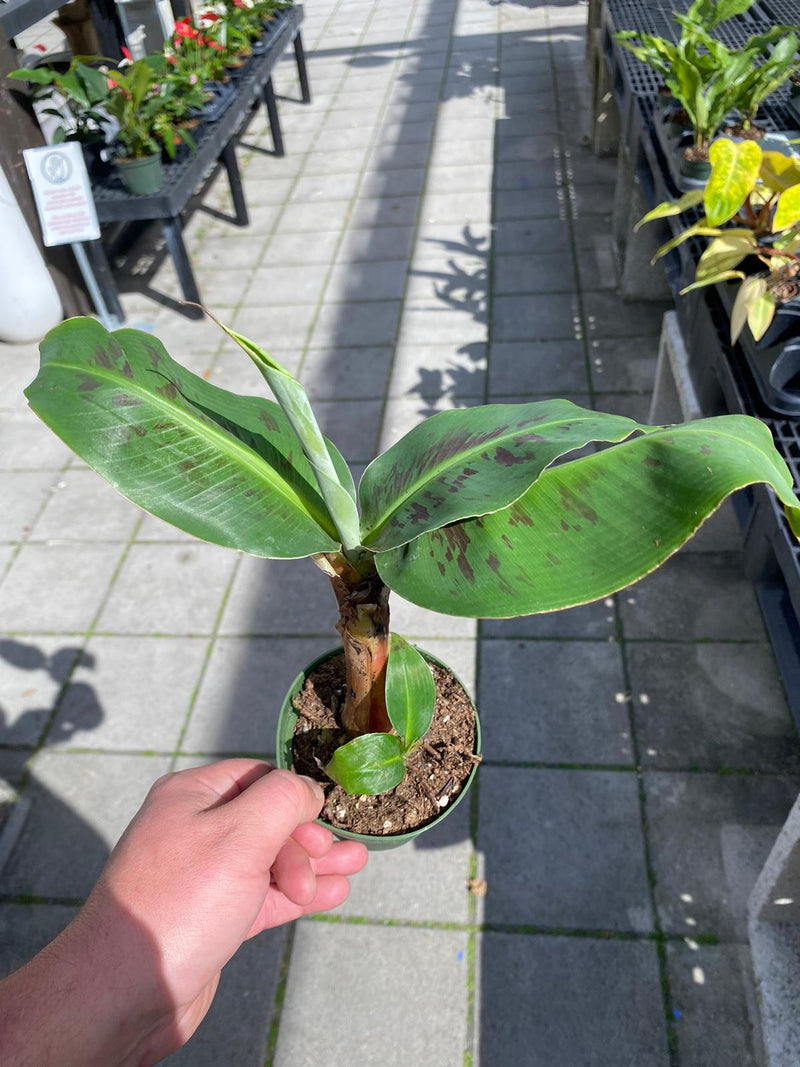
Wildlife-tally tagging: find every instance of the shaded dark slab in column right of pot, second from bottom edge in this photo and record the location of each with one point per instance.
(579, 861)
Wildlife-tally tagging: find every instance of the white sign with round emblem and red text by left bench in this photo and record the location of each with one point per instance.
(63, 194)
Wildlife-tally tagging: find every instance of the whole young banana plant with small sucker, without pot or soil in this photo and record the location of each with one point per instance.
(468, 515)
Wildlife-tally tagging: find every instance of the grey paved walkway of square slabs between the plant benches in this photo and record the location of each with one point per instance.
(437, 236)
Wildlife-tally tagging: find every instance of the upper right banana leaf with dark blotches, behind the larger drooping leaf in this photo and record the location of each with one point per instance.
(470, 463)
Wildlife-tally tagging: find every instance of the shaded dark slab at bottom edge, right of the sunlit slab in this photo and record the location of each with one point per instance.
(582, 1002)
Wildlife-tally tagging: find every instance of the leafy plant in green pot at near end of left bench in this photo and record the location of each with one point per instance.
(146, 125)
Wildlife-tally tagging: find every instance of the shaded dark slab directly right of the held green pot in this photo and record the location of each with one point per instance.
(574, 711)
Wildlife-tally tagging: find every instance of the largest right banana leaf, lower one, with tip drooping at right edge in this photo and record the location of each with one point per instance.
(590, 528)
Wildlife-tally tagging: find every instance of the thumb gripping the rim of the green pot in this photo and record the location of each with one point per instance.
(275, 806)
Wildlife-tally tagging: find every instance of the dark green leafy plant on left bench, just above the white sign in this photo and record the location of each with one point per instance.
(75, 97)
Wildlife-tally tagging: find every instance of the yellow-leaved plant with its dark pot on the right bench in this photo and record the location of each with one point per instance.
(751, 213)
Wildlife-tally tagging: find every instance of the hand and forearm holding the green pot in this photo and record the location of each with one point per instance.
(215, 856)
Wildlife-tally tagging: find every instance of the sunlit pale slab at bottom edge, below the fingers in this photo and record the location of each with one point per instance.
(418, 1018)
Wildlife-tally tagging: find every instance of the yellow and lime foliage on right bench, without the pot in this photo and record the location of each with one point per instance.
(758, 194)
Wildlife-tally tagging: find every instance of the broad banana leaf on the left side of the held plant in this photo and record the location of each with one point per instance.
(227, 469)
